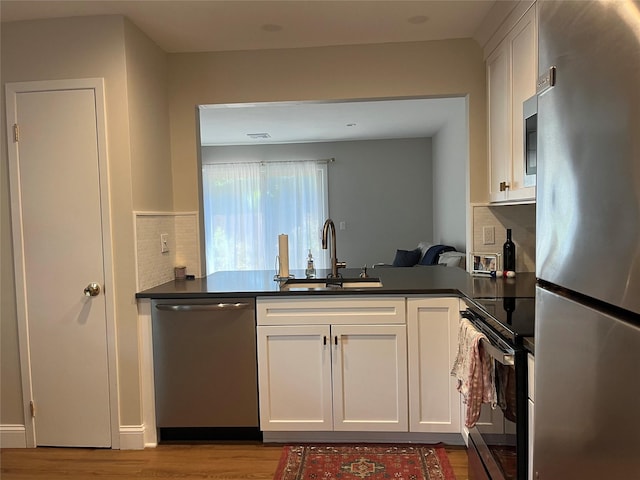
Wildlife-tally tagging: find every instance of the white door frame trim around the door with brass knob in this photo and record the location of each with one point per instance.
(11, 92)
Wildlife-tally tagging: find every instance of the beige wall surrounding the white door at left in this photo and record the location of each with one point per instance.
(133, 68)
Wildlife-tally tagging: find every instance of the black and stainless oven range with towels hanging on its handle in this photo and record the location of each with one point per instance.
(498, 442)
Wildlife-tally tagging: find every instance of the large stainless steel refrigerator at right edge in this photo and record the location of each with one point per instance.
(587, 343)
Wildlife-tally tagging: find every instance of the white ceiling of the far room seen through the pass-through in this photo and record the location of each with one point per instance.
(290, 122)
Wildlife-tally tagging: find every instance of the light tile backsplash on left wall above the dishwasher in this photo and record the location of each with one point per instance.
(155, 267)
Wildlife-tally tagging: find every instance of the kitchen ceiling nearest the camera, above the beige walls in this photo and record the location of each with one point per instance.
(206, 25)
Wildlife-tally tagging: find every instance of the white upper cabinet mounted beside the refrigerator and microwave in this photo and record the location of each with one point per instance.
(511, 79)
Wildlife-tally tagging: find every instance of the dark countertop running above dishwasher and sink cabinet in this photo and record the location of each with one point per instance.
(427, 280)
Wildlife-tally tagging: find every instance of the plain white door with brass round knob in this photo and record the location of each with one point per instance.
(58, 241)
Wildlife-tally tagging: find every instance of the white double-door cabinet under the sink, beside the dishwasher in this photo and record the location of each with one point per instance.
(332, 363)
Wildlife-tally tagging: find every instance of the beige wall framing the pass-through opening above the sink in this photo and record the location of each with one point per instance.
(440, 68)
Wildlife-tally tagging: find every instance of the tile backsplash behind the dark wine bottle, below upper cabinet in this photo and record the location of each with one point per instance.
(521, 219)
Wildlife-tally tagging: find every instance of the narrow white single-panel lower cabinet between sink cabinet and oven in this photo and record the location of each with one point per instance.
(432, 330)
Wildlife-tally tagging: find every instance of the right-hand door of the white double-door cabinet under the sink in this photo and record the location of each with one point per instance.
(370, 378)
